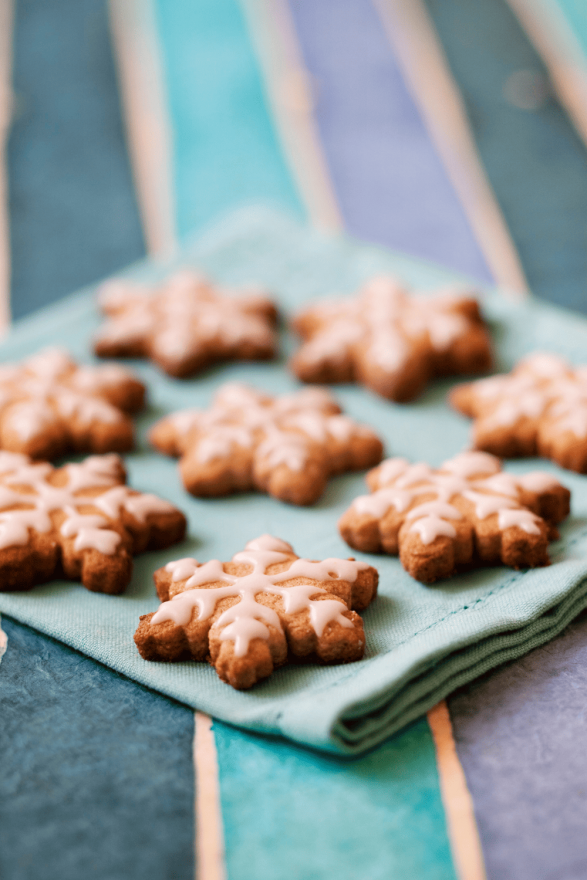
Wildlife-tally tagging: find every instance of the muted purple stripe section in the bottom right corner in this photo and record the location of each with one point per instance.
(520, 734)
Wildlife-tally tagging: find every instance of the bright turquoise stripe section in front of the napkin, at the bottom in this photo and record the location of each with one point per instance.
(292, 813)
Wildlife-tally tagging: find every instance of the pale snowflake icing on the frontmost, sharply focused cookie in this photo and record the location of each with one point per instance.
(248, 619)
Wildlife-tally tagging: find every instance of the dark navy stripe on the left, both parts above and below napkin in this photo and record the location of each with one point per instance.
(97, 774)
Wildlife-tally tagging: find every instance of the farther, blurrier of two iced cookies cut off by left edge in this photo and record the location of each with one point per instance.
(49, 405)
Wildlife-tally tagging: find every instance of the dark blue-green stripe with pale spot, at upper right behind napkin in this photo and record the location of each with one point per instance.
(535, 160)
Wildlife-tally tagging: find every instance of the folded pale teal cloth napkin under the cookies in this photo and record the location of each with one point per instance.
(422, 642)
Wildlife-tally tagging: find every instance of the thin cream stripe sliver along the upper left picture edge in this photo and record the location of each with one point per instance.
(6, 20)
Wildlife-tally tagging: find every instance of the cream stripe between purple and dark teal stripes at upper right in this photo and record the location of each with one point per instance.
(428, 75)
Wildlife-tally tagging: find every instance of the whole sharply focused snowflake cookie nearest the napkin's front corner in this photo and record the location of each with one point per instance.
(248, 615)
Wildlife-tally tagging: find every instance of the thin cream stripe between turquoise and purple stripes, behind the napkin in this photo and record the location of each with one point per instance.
(289, 91)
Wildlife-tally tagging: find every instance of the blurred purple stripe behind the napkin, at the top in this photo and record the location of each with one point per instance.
(390, 183)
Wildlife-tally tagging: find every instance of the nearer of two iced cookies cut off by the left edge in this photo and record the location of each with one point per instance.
(79, 521)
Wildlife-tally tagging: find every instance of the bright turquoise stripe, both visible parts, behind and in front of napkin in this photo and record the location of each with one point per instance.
(286, 812)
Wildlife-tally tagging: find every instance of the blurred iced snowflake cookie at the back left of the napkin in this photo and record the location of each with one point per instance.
(185, 324)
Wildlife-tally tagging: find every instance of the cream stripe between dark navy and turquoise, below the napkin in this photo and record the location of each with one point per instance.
(209, 836)
